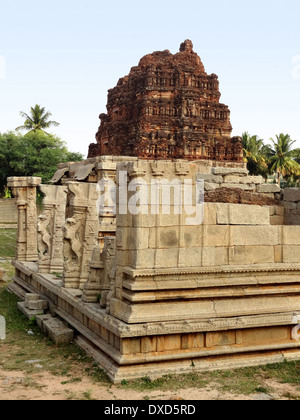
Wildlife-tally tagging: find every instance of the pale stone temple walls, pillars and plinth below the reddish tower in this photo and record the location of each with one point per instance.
(150, 292)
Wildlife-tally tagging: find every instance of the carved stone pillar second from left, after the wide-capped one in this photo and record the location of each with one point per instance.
(50, 229)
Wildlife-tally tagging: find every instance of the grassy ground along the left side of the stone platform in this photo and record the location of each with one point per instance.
(19, 347)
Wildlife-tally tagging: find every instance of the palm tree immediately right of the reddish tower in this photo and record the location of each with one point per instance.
(255, 154)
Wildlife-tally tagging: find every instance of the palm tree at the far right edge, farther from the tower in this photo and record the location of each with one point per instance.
(282, 160)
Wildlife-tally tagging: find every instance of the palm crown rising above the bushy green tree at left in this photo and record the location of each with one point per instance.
(37, 120)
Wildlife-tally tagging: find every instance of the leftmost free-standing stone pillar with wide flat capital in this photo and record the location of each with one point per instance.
(24, 190)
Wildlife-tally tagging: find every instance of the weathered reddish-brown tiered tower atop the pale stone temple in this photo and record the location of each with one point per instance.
(168, 107)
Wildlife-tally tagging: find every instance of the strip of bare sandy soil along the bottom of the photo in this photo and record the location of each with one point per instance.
(45, 386)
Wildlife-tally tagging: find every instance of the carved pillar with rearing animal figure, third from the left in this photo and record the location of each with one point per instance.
(80, 233)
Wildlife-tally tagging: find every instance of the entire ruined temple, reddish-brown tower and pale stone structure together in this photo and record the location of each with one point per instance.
(159, 254)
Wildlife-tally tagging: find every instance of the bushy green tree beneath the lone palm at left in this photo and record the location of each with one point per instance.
(35, 154)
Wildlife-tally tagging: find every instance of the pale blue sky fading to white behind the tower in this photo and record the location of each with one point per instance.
(66, 54)
